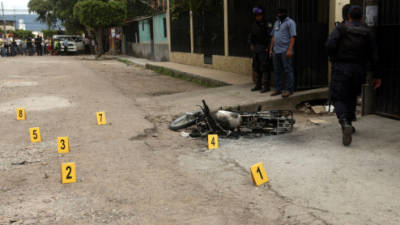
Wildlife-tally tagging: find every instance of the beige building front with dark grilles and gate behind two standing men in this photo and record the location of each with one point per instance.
(215, 36)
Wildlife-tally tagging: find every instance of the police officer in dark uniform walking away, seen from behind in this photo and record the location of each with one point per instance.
(350, 46)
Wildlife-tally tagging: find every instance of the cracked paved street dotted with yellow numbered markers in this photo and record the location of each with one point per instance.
(135, 171)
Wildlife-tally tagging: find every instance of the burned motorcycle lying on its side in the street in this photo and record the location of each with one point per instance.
(232, 123)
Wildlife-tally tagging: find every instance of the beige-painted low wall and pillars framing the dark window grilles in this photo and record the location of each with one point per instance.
(240, 65)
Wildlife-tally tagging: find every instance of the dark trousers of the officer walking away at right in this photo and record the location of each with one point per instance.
(347, 80)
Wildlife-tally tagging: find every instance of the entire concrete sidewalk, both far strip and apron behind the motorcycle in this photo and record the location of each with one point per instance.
(232, 90)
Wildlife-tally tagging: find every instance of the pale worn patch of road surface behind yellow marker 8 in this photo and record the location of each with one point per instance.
(41, 103)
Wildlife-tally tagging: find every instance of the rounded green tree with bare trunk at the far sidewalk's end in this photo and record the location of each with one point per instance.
(99, 15)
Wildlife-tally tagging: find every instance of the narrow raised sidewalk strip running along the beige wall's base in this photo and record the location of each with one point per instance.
(210, 77)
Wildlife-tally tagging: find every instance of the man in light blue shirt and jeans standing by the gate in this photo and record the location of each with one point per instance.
(282, 52)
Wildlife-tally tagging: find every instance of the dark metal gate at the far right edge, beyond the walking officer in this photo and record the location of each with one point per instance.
(388, 35)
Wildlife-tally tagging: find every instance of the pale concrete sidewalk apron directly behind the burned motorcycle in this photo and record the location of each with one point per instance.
(229, 97)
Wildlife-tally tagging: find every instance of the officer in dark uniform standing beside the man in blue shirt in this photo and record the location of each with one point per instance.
(259, 40)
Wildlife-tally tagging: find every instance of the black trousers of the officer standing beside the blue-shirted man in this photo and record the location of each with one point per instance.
(262, 66)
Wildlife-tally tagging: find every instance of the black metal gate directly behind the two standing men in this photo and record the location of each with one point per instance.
(312, 18)
